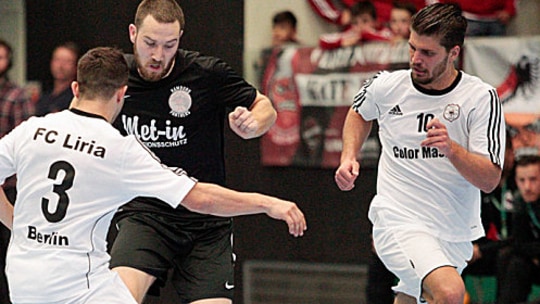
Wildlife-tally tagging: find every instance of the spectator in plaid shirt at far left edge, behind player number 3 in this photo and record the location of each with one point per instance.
(15, 107)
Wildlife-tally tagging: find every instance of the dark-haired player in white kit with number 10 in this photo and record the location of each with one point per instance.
(442, 133)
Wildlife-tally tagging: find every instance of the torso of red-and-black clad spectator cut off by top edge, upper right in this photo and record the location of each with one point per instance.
(486, 17)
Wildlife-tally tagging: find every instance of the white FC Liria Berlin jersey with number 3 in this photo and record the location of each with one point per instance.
(74, 170)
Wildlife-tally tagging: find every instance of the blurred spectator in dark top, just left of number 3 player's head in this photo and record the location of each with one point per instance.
(64, 71)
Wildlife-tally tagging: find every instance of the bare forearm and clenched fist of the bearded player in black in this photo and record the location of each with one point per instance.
(255, 121)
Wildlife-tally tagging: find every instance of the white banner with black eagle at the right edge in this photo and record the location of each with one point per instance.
(512, 65)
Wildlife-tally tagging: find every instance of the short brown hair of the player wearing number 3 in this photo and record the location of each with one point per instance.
(101, 72)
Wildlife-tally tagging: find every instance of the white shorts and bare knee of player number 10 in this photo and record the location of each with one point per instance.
(424, 264)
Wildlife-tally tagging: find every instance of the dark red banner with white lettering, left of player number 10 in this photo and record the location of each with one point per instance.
(312, 91)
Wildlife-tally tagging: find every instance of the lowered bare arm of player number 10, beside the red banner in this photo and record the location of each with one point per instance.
(355, 132)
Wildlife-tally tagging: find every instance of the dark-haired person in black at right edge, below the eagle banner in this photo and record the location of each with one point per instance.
(519, 265)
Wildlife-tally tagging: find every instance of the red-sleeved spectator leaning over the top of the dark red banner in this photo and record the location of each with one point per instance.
(364, 27)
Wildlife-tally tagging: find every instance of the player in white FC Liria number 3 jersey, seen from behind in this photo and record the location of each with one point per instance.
(74, 170)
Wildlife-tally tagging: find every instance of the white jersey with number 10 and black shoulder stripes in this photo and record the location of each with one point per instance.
(421, 183)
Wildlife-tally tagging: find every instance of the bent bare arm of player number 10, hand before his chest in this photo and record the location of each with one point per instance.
(475, 168)
